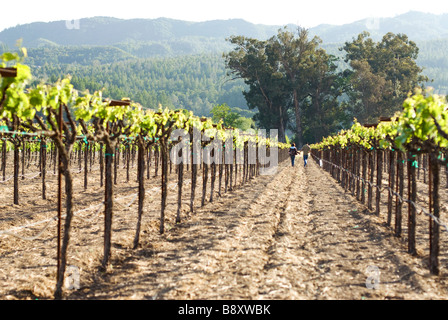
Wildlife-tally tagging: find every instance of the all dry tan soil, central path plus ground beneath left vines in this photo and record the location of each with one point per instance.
(289, 236)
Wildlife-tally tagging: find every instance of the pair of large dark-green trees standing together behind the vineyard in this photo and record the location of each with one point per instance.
(295, 84)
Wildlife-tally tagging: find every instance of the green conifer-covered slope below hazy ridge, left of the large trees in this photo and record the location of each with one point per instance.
(195, 83)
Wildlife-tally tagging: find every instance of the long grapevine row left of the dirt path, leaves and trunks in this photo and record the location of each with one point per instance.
(59, 114)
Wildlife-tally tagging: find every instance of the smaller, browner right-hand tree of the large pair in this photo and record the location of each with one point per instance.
(383, 73)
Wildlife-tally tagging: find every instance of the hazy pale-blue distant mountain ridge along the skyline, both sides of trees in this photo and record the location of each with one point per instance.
(102, 30)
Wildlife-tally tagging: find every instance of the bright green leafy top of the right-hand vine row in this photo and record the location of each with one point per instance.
(422, 126)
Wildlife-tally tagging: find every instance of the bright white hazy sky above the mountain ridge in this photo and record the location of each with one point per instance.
(307, 13)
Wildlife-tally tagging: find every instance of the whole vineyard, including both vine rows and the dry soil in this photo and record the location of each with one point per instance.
(131, 199)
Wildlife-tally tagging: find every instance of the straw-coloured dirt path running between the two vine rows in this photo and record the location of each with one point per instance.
(295, 235)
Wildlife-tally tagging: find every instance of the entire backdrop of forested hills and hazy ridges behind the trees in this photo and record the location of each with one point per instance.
(179, 63)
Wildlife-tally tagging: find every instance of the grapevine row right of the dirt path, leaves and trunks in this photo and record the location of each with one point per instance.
(357, 157)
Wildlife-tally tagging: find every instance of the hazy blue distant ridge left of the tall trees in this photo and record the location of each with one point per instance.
(111, 31)
